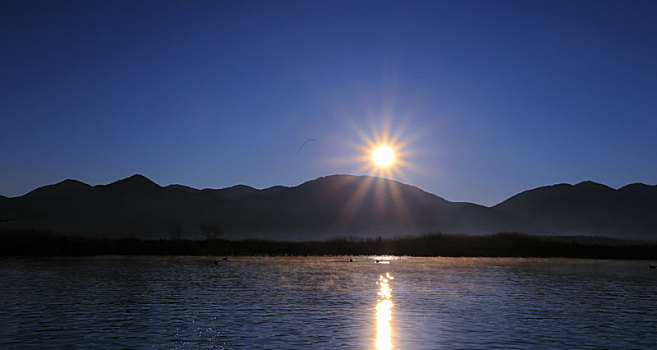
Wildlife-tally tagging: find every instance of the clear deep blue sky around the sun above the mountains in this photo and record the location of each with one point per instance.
(492, 97)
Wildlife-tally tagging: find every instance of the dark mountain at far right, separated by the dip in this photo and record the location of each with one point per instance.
(588, 208)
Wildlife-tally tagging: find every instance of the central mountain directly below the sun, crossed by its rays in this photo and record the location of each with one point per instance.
(362, 205)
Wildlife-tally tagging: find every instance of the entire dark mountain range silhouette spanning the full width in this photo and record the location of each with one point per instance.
(331, 206)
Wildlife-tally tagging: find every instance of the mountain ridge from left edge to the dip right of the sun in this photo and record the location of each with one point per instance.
(331, 206)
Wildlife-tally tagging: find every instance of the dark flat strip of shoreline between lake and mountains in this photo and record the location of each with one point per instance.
(41, 243)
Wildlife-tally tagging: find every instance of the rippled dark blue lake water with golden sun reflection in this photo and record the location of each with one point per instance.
(327, 302)
